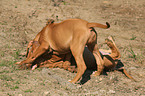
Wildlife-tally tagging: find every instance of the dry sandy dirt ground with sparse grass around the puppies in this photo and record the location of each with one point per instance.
(21, 20)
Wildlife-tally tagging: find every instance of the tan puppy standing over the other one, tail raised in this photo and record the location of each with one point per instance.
(70, 35)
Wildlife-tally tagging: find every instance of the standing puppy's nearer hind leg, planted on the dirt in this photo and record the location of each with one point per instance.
(77, 48)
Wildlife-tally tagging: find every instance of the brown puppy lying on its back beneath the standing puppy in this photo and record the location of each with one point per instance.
(110, 58)
